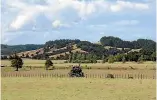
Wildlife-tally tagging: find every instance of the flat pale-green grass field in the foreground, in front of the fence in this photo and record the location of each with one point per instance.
(77, 89)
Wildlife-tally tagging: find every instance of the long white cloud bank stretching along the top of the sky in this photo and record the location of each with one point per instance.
(84, 9)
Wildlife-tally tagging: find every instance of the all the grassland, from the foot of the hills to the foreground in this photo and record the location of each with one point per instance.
(27, 85)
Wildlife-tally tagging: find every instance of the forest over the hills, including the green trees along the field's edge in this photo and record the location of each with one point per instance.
(117, 50)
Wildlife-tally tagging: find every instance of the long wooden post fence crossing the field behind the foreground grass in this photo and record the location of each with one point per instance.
(60, 75)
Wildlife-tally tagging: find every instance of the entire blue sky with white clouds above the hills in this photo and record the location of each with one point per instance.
(38, 21)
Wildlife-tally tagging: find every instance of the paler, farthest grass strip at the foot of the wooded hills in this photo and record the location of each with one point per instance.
(60, 63)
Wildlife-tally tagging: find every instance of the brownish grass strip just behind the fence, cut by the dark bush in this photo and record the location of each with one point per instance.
(148, 73)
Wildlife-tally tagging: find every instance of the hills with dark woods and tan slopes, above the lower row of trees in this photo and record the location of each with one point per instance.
(64, 48)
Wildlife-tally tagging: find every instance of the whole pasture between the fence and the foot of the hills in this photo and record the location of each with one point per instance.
(147, 69)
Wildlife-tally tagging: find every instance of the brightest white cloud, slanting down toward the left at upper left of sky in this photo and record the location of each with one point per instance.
(26, 14)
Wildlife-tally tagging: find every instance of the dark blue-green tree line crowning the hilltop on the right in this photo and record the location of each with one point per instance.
(119, 43)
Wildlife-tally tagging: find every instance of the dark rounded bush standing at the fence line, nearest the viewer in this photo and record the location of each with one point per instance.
(76, 71)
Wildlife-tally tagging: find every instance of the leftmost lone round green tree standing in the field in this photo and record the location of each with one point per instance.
(16, 62)
